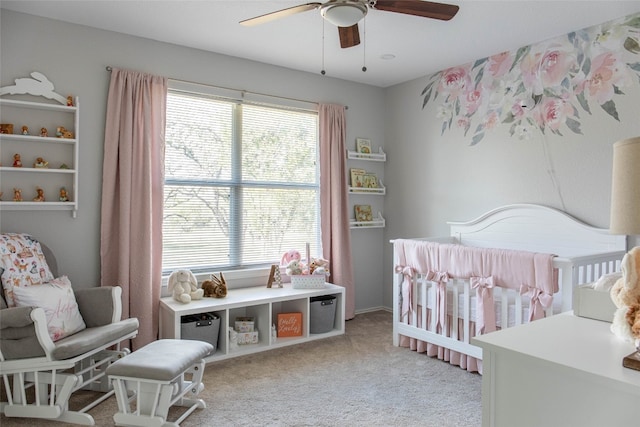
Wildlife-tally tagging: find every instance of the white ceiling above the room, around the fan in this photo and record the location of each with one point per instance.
(421, 46)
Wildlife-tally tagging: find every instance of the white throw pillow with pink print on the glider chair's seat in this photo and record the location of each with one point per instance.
(59, 304)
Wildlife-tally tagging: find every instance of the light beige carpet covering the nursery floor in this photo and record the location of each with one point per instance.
(357, 379)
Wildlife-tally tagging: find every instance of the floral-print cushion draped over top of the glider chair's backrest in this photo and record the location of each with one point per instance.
(22, 263)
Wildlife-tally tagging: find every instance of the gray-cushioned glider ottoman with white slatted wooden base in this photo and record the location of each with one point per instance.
(155, 374)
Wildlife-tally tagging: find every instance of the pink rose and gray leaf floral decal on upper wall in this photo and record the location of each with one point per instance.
(543, 87)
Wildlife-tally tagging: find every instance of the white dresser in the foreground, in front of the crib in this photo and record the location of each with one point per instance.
(560, 371)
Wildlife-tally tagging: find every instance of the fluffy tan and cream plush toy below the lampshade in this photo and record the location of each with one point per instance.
(625, 294)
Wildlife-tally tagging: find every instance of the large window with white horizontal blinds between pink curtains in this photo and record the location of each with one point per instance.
(241, 183)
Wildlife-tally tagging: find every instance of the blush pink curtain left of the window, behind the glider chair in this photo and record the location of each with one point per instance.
(132, 196)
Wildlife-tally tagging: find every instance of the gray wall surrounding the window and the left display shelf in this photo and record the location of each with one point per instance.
(74, 58)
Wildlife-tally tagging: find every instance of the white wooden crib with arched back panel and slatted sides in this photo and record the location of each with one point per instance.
(582, 254)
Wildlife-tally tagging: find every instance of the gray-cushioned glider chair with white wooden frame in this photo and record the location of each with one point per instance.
(40, 375)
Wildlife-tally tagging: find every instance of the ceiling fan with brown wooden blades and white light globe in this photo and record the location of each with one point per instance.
(345, 14)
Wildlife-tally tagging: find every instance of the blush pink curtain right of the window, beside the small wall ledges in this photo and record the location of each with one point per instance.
(334, 203)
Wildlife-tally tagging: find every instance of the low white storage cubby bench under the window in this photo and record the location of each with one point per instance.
(263, 305)
